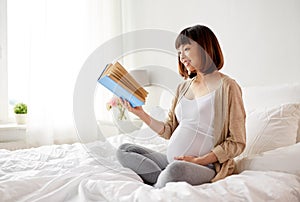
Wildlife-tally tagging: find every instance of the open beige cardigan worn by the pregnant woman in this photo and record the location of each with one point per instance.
(229, 124)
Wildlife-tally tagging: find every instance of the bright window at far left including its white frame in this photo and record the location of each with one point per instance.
(14, 58)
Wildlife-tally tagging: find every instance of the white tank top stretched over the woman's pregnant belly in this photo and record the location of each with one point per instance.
(194, 134)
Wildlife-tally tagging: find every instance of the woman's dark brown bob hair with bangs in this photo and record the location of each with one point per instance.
(211, 53)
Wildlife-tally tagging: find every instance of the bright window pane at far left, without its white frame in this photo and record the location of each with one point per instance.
(18, 57)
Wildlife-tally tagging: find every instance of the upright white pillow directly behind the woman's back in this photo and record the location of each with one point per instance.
(271, 128)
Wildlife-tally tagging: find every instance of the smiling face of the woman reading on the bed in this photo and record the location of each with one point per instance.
(190, 55)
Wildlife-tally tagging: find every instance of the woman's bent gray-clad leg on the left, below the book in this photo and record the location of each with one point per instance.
(147, 163)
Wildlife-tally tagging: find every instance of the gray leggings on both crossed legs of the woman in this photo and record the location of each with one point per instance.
(154, 168)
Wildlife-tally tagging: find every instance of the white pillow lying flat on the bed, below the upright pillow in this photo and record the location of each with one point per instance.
(284, 159)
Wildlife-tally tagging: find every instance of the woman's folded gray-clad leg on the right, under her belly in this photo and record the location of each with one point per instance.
(185, 171)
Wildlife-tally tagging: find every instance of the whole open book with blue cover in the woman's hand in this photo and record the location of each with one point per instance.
(116, 79)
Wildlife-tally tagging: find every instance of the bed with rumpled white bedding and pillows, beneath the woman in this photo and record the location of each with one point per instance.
(268, 169)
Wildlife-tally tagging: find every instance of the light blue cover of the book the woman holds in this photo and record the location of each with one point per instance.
(118, 90)
